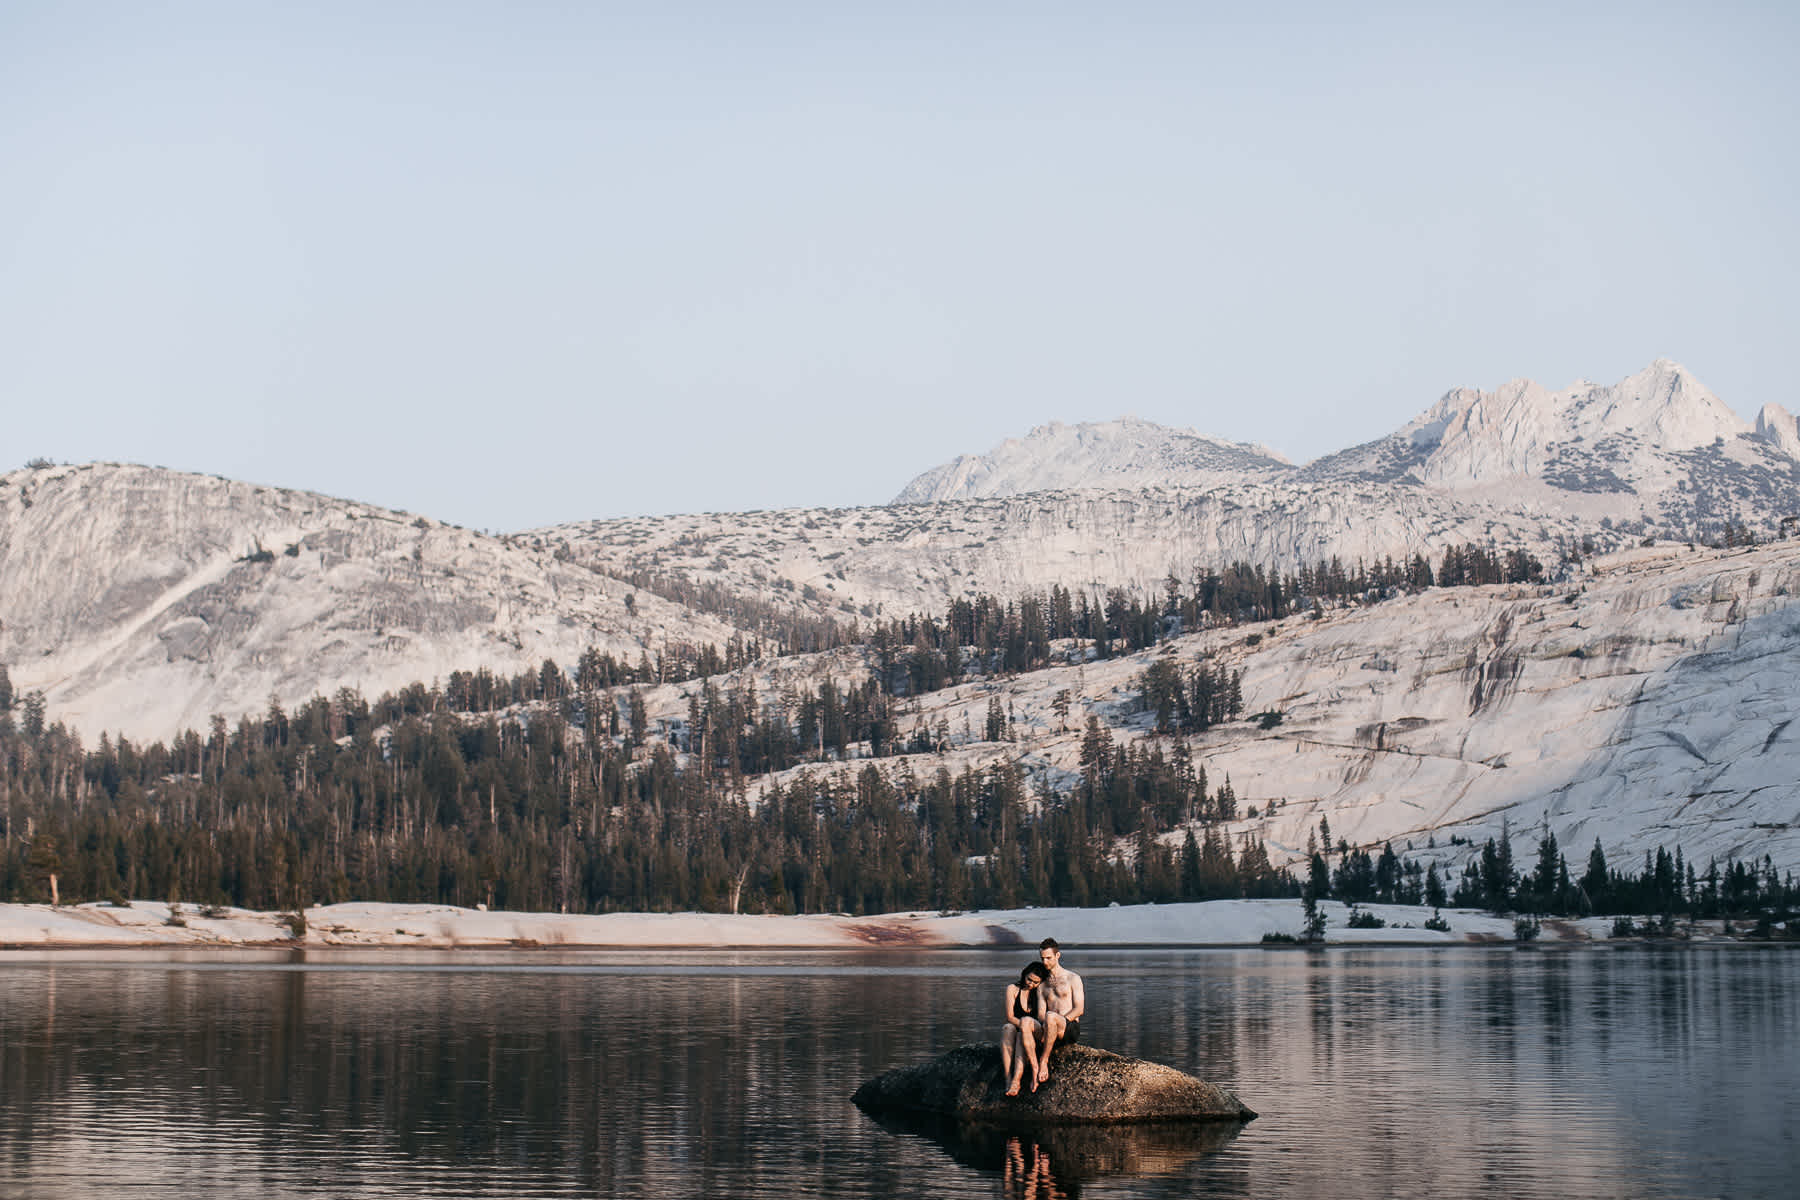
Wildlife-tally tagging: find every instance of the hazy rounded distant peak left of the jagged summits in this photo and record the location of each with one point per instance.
(1097, 454)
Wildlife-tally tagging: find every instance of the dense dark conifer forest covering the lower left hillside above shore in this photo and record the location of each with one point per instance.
(546, 816)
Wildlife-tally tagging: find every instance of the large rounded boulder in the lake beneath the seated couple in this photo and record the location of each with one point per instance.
(1086, 1086)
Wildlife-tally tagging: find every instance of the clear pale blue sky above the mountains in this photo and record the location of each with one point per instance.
(525, 264)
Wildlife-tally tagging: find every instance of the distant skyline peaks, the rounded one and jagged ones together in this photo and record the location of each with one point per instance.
(1657, 449)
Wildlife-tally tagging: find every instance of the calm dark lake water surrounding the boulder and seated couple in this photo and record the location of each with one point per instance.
(1606, 1071)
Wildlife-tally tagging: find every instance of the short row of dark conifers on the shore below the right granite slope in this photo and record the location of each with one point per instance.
(1491, 881)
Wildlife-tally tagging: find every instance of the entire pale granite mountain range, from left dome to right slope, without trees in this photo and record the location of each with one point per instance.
(1639, 694)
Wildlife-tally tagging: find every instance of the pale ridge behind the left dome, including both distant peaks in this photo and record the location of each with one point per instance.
(1131, 505)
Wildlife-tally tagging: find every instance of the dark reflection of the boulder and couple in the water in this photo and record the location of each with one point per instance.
(1054, 1161)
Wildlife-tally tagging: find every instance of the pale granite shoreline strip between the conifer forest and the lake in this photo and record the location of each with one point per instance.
(388, 927)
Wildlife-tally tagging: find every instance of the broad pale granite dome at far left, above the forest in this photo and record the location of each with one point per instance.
(145, 602)
